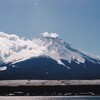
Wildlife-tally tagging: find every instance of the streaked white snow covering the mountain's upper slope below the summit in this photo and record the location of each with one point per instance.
(56, 49)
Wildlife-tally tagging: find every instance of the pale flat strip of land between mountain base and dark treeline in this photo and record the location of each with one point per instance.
(47, 82)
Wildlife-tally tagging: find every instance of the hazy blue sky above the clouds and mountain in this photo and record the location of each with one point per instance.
(76, 21)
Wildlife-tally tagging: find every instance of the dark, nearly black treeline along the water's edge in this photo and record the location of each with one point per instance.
(50, 90)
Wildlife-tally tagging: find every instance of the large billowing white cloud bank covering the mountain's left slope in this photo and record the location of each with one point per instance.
(12, 48)
